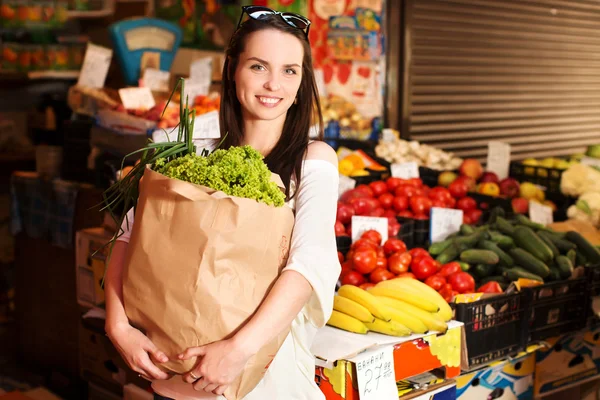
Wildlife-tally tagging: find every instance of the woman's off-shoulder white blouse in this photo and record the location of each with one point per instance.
(313, 254)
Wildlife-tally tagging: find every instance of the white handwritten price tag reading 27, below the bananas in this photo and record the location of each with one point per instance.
(375, 374)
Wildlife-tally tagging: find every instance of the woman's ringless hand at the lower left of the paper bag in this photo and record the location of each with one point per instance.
(138, 351)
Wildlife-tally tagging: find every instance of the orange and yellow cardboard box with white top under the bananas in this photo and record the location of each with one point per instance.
(413, 355)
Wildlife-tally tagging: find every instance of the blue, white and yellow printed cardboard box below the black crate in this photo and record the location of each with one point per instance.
(508, 379)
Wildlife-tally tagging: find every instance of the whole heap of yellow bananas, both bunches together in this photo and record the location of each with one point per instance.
(398, 307)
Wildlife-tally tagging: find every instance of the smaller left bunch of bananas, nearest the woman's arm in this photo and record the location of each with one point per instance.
(358, 311)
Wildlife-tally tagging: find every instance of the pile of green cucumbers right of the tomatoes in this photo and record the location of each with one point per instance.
(502, 251)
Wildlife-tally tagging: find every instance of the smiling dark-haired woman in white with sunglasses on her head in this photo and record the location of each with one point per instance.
(269, 96)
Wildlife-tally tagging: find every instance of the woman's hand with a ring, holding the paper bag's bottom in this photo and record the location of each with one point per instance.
(218, 365)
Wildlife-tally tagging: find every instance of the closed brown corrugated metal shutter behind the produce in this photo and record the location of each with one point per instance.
(524, 72)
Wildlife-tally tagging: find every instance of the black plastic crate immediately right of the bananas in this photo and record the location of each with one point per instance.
(495, 327)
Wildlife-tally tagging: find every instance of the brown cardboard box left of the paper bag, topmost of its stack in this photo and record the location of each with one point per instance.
(90, 262)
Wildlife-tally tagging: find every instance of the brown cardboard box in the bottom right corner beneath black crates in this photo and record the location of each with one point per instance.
(570, 360)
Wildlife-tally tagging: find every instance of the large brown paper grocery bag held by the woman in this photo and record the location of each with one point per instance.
(199, 263)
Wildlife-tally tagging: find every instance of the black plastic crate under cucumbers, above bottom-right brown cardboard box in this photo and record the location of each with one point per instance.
(558, 307)
